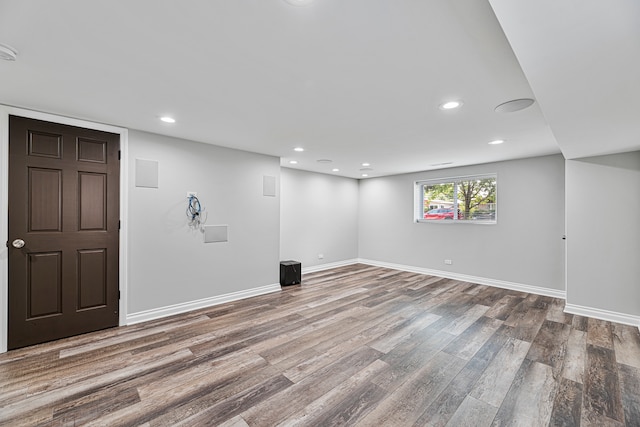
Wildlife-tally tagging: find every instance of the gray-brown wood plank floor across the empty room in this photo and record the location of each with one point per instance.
(357, 345)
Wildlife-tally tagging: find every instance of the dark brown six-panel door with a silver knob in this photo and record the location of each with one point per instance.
(64, 205)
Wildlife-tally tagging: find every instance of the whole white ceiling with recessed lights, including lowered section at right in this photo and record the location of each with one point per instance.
(349, 80)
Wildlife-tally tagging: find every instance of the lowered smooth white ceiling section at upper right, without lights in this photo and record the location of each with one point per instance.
(582, 60)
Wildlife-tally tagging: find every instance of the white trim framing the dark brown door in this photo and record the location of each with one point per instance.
(5, 111)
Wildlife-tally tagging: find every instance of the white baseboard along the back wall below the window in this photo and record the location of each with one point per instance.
(472, 279)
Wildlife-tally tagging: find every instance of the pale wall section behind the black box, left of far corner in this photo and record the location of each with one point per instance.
(318, 215)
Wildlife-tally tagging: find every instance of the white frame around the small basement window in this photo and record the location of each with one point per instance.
(418, 215)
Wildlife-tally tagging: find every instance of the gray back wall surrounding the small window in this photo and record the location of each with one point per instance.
(525, 246)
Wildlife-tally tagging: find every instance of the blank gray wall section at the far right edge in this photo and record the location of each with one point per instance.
(603, 232)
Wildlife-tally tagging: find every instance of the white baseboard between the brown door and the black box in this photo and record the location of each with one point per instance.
(157, 313)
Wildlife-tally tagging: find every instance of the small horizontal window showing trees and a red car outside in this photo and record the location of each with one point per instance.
(468, 199)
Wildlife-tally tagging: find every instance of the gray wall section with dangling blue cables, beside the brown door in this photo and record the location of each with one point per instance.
(168, 262)
